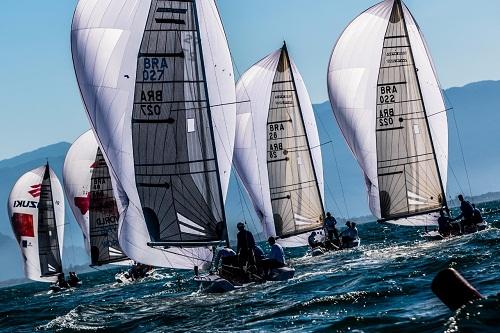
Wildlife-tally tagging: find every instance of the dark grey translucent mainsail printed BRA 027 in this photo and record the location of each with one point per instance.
(176, 168)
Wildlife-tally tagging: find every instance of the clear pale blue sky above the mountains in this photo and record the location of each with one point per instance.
(39, 99)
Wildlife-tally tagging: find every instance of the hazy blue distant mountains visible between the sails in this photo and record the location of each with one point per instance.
(476, 108)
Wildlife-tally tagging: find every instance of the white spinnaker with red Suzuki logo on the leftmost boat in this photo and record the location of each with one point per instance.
(24, 215)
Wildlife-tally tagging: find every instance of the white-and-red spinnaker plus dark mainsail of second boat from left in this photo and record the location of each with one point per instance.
(88, 187)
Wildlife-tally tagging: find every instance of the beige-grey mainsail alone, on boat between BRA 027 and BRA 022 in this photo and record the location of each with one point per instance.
(296, 201)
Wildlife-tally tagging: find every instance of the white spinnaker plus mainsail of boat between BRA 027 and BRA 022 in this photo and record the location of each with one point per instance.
(277, 149)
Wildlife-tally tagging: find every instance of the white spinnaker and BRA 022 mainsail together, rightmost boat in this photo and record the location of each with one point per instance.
(388, 103)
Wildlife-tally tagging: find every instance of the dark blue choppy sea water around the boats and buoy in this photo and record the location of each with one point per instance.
(383, 286)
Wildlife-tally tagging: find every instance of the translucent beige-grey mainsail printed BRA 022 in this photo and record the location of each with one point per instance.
(408, 174)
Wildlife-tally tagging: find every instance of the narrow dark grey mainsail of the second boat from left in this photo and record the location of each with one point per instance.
(103, 216)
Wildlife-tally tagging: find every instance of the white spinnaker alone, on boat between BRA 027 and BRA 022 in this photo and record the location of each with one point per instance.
(254, 92)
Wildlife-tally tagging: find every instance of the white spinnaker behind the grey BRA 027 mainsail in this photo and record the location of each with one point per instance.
(107, 36)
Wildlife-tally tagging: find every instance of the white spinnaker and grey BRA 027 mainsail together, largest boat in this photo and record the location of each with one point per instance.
(157, 81)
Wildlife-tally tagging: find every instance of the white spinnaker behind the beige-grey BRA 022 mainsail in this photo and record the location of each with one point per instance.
(352, 82)
